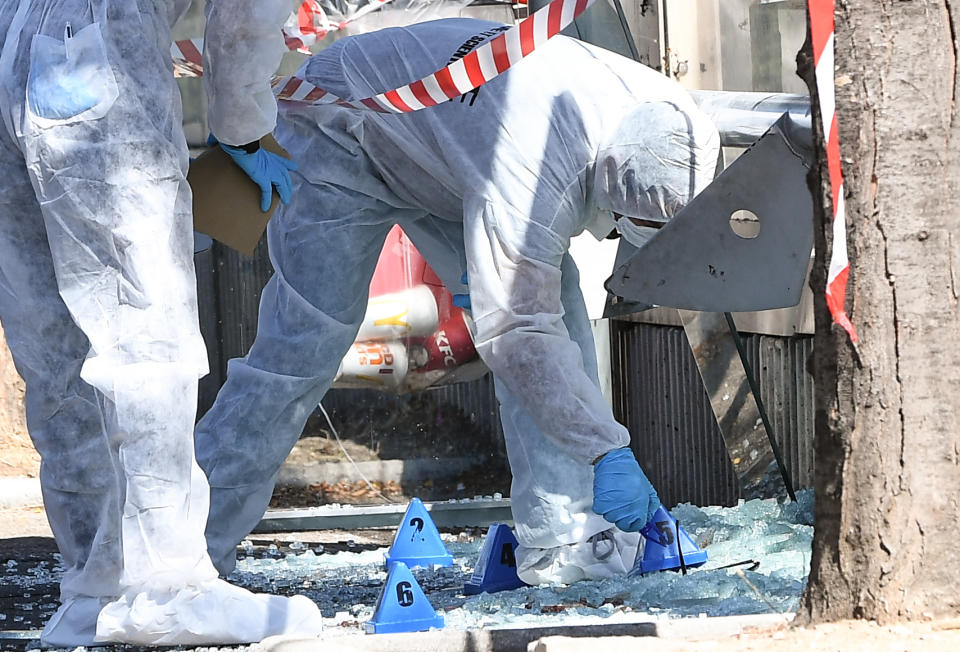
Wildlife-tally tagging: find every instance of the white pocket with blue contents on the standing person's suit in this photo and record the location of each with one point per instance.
(70, 80)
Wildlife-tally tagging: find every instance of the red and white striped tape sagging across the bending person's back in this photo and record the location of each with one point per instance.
(462, 76)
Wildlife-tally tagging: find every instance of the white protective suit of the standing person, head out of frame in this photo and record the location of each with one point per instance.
(98, 305)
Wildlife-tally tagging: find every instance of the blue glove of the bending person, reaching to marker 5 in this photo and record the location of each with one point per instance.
(621, 492)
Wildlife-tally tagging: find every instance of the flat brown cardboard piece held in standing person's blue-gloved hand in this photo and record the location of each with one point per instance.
(226, 202)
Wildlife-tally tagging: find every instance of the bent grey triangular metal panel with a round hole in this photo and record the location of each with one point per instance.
(698, 262)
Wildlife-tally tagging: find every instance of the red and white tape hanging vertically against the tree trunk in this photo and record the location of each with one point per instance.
(822, 33)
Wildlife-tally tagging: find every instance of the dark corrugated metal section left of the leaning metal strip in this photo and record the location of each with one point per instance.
(659, 397)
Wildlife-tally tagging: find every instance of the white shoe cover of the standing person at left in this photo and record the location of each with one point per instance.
(214, 612)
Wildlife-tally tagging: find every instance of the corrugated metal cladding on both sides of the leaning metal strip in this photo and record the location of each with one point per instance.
(659, 397)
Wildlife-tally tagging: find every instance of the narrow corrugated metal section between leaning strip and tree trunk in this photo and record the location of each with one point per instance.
(787, 392)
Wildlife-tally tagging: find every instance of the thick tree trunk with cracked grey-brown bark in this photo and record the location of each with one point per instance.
(886, 449)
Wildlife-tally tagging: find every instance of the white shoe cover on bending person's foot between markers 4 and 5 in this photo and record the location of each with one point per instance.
(607, 554)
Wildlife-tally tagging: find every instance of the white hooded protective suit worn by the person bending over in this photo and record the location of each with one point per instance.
(494, 183)
